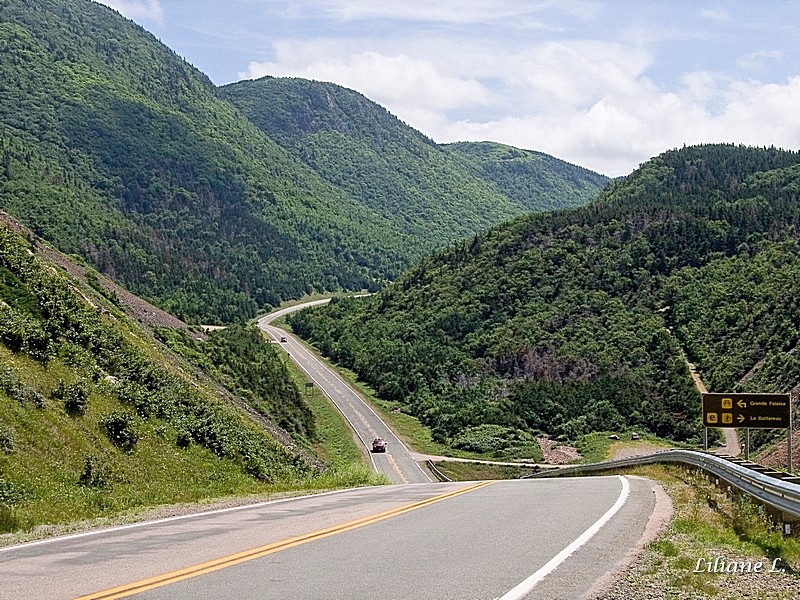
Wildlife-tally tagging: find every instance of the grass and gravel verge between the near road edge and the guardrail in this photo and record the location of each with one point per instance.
(708, 524)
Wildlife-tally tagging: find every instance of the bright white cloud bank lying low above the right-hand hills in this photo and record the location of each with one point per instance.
(619, 132)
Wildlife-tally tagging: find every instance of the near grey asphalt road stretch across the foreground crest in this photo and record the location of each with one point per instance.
(548, 538)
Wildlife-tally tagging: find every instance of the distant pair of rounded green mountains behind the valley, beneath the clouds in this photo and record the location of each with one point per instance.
(437, 193)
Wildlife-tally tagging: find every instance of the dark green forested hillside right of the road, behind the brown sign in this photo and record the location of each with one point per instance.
(576, 321)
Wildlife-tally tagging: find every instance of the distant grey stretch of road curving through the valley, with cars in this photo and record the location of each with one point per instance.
(396, 463)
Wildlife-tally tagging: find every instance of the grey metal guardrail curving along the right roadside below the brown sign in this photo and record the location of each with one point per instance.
(774, 490)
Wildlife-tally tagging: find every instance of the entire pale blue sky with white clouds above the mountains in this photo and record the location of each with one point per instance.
(602, 84)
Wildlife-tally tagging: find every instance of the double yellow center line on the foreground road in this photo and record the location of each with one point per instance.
(144, 585)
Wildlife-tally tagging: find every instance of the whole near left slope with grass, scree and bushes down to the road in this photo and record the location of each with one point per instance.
(97, 417)
